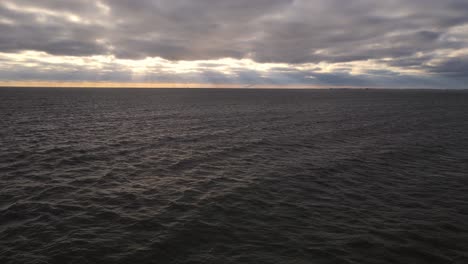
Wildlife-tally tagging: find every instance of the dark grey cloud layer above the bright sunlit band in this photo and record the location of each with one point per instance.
(407, 34)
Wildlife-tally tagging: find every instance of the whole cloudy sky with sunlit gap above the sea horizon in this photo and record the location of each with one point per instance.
(235, 43)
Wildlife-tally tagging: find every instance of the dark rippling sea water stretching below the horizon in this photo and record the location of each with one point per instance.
(233, 176)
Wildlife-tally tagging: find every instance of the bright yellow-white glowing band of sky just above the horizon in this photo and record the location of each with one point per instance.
(159, 72)
